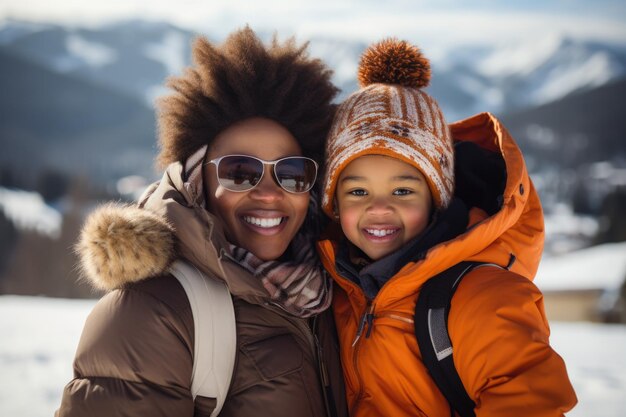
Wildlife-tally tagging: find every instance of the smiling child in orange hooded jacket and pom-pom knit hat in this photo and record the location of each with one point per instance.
(390, 182)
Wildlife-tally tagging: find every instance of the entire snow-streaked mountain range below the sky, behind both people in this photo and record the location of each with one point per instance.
(137, 56)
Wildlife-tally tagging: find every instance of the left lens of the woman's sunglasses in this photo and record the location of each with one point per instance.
(239, 173)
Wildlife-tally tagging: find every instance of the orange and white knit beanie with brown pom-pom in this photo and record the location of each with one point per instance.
(391, 115)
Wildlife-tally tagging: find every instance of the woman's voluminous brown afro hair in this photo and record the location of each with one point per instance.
(240, 79)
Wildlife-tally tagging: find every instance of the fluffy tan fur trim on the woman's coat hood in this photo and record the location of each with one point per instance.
(121, 244)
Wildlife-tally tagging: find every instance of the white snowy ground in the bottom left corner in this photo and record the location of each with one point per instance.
(38, 338)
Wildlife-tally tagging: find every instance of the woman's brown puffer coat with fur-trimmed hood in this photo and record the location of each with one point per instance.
(136, 353)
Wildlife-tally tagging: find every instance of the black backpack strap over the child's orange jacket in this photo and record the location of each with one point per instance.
(431, 330)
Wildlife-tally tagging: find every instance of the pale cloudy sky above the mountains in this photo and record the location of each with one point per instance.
(430, 20)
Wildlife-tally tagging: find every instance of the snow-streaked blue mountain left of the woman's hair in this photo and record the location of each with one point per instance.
(132, 57)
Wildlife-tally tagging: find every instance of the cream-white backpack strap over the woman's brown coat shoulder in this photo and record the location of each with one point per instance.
(215, 341)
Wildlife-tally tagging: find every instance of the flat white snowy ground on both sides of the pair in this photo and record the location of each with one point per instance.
(39, 337)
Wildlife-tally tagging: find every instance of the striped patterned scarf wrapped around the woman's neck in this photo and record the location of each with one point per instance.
(300, 286)
